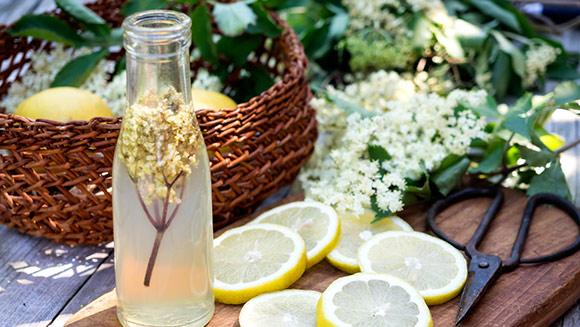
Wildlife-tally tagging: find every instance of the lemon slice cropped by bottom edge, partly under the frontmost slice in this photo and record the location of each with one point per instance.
(296, 308)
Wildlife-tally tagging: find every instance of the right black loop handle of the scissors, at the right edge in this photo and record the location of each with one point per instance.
(542, 198)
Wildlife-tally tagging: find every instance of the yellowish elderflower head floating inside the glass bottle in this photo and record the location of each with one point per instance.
(158, 142)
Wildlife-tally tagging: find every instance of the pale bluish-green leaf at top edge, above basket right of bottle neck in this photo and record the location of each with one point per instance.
(233, 18)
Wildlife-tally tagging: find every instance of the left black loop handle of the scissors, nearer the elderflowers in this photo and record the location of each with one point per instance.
(465, 194)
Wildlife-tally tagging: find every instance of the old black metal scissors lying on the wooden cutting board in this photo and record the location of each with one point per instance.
(484, 268)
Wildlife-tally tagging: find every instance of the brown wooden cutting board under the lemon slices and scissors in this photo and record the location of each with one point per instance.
(531, 296)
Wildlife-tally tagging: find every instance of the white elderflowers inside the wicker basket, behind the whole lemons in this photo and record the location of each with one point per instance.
(44, 66)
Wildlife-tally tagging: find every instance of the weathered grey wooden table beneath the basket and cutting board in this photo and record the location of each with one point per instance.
(43, 283)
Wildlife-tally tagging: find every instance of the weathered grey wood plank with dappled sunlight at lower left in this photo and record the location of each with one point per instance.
(38, 277)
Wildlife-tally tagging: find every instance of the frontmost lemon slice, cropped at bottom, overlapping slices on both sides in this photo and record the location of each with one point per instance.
(372, 300)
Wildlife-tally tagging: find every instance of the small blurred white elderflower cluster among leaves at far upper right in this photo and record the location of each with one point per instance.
(538, 57)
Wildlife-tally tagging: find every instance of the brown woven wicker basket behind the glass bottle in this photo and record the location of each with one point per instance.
(55, 178)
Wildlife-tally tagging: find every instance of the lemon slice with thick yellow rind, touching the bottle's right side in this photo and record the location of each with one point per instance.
(255, 259)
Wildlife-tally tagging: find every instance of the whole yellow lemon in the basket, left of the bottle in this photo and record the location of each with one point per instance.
(64, 104)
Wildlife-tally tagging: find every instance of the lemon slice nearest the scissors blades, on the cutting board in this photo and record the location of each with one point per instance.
(435, 268)
